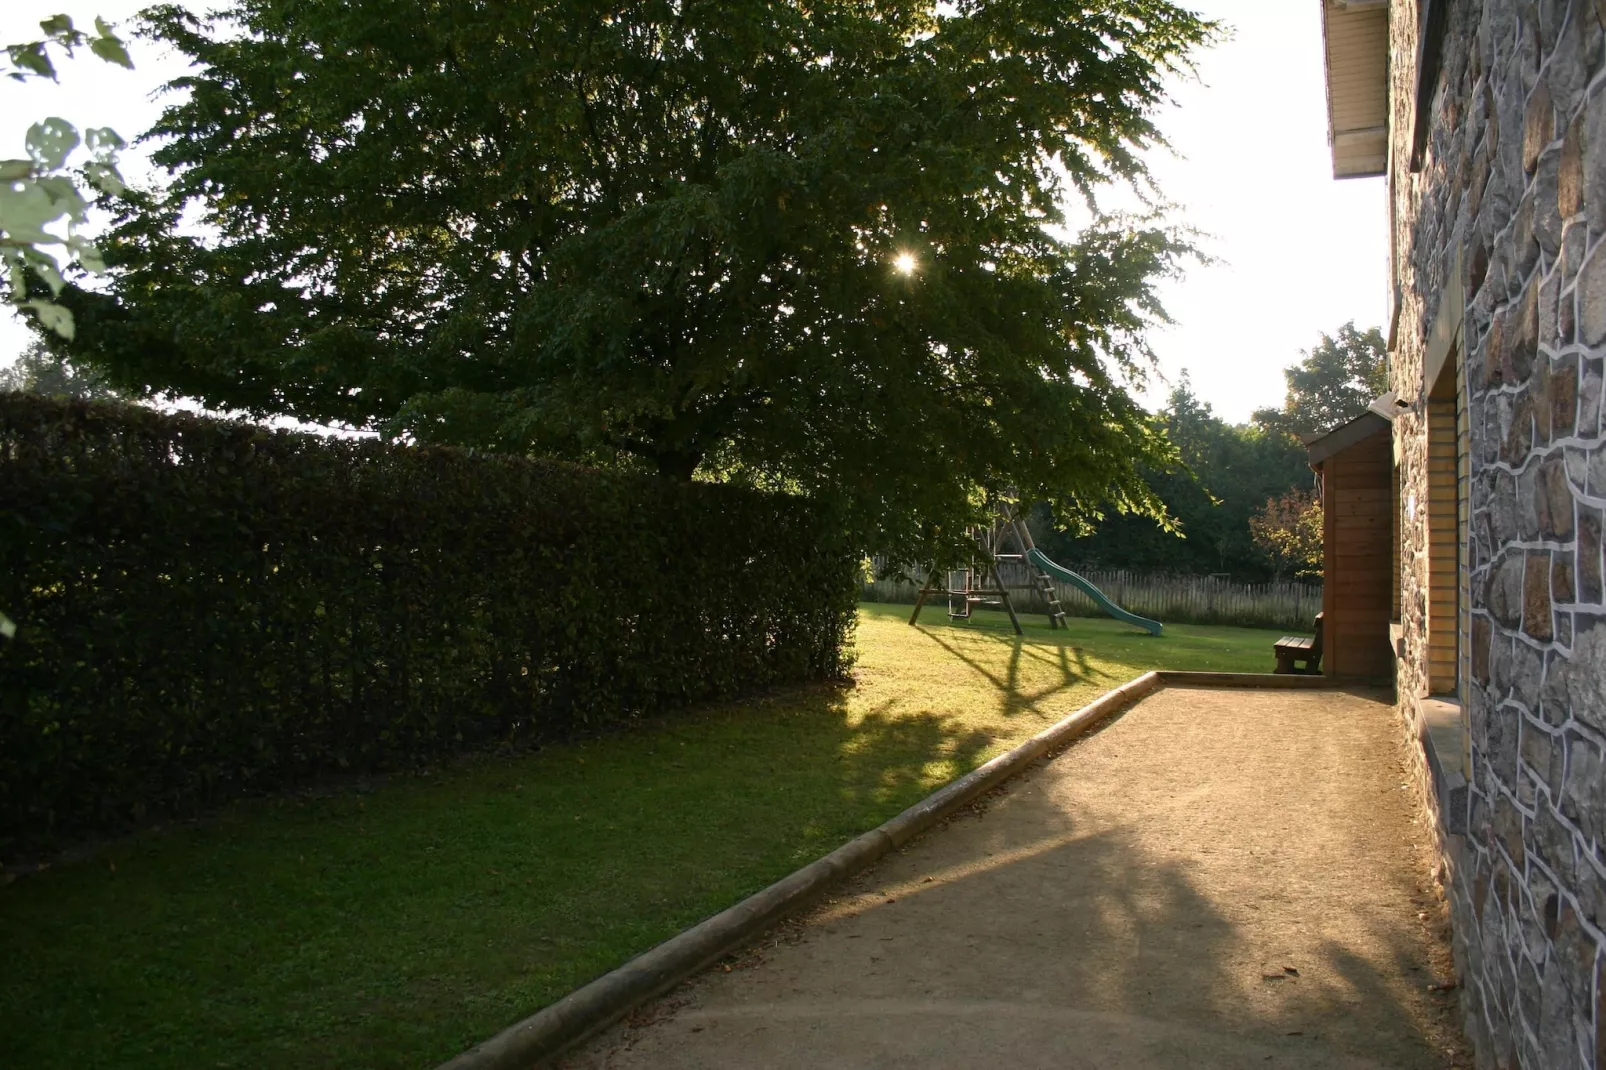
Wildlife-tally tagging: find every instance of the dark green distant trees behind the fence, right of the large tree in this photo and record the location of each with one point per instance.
(1228, 473)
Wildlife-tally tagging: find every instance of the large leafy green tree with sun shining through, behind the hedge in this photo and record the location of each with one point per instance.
(815, 245)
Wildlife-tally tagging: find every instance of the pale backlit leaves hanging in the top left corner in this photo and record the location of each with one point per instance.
(41, 192)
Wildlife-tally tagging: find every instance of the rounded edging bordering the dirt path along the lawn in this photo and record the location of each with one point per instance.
(606, 1000)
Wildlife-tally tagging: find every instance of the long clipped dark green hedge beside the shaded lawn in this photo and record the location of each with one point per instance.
(210, 610)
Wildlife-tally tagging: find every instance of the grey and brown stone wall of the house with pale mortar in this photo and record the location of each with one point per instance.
(1506, 223)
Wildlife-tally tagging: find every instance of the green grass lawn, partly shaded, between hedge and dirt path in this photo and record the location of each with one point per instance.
(396, 928)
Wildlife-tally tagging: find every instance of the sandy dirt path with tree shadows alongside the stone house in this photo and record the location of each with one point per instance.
(1218, 880)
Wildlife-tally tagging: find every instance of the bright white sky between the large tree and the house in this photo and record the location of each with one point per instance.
(1300, 253)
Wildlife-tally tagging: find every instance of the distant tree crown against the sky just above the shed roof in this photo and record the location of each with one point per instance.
(1332, 383)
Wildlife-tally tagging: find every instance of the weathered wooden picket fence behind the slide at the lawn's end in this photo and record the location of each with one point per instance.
(1162, 597)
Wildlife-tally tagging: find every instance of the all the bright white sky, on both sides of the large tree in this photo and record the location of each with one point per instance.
(1298, 253)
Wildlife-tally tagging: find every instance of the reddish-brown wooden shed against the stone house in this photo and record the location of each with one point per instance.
(1355, 465)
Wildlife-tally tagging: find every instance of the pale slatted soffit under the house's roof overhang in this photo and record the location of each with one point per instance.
(1356, 43)
